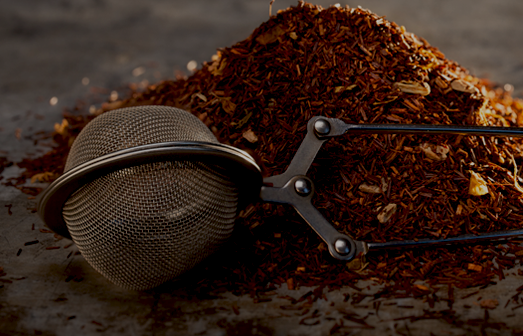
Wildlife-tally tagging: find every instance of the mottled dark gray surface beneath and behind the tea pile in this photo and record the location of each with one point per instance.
(48, 47)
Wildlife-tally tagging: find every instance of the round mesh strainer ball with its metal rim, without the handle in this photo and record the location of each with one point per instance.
(148, 193)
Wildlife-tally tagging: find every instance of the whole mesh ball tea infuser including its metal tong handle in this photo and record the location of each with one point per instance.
(148, 192)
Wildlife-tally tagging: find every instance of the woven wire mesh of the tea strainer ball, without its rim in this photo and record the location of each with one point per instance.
(143, 225)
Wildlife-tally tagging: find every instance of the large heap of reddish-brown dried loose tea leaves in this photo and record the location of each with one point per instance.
(351, 64)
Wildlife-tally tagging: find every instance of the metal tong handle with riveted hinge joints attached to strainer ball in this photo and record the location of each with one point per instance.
(294, 188)
